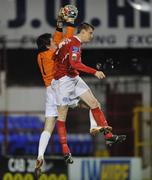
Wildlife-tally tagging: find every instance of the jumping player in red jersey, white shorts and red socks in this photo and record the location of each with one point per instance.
(69, 85)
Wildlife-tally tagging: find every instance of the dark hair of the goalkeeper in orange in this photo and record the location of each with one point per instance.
(43, 41)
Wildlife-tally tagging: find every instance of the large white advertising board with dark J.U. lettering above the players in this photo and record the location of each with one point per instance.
(116, 22)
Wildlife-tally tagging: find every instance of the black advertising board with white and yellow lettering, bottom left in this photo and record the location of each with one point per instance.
(19, 168)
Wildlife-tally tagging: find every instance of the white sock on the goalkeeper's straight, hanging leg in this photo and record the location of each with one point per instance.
(43, 142)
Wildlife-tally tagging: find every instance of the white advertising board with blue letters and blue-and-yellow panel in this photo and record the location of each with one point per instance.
(105, 169)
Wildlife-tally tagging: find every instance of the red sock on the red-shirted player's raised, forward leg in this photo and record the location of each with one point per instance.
(100, 119)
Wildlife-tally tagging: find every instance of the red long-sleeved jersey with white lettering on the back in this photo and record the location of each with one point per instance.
(68, 58)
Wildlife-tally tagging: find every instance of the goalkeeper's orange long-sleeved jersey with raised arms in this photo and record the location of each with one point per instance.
(45, 58)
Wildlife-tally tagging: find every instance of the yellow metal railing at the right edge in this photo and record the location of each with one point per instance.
(143, 147)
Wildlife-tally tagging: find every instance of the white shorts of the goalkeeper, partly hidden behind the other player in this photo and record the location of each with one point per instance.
(51, 106)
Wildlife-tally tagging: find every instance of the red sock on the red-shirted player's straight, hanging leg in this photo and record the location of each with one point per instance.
(61, 129)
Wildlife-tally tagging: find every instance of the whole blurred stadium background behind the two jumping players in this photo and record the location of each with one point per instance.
(123, 46)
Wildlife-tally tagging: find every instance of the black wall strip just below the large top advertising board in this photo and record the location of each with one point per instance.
(22, 68)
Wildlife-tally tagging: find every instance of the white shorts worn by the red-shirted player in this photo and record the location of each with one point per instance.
(69, 89)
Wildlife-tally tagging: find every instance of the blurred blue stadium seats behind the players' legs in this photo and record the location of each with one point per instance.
(19, 135)
